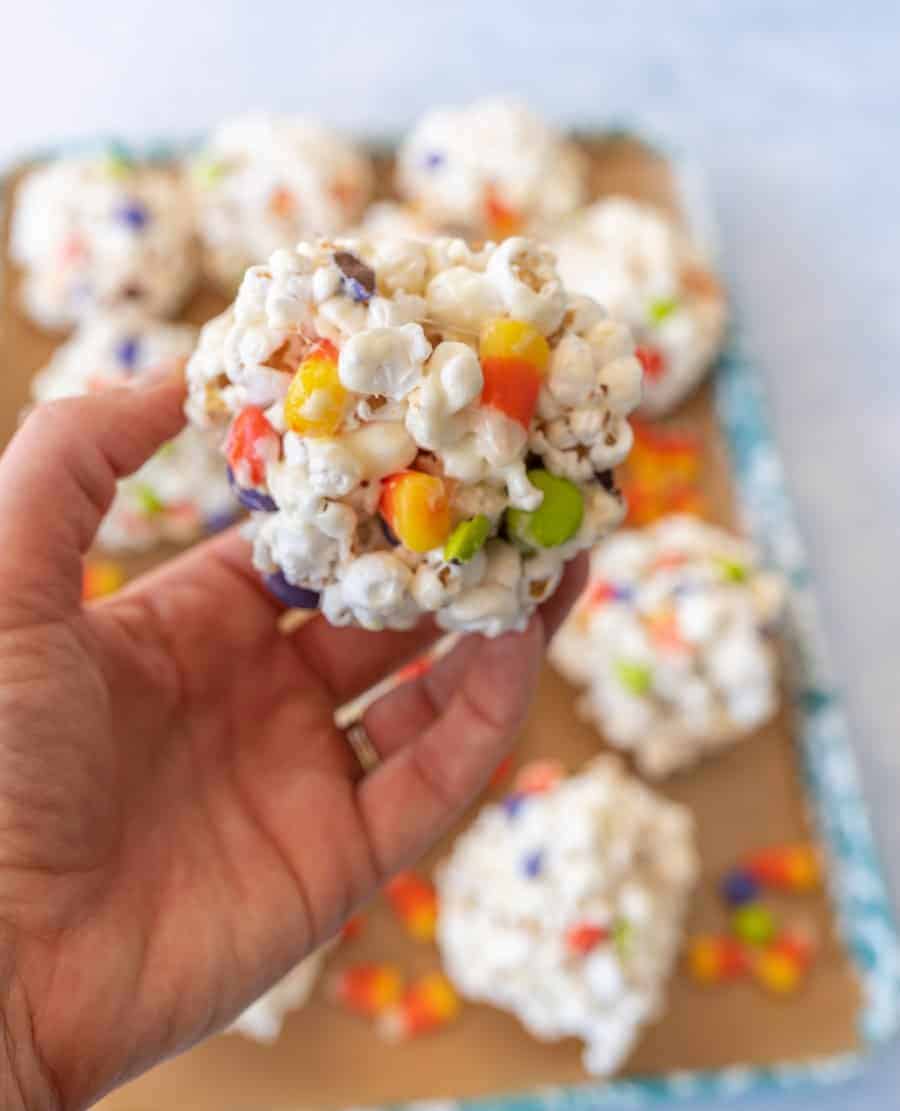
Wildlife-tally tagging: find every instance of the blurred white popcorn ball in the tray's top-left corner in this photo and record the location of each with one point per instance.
(102, 233)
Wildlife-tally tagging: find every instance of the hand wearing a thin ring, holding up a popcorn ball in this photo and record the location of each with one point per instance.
(181, 819)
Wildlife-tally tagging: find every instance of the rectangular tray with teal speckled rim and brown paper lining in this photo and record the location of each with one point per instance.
(795, 779)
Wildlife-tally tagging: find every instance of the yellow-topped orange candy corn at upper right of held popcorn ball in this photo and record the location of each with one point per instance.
(514, 361)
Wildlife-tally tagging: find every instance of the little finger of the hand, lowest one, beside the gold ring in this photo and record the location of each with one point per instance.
(412, 798)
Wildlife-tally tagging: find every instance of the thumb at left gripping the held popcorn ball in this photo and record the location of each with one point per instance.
(58, 479)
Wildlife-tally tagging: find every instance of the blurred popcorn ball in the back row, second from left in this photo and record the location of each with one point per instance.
(268, 182)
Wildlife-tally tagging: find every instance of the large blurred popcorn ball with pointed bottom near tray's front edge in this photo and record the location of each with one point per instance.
(566, 907)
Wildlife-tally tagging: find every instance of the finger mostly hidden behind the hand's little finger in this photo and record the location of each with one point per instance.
(401, 716)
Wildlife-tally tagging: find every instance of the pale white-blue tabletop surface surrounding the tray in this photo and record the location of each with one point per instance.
(795, 111)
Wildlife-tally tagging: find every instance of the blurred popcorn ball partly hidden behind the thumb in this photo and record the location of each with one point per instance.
(182, 493)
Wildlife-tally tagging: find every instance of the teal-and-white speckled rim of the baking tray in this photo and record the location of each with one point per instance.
(856, 880)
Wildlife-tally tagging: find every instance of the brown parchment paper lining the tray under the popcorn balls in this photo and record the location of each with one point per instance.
(749, 797)
